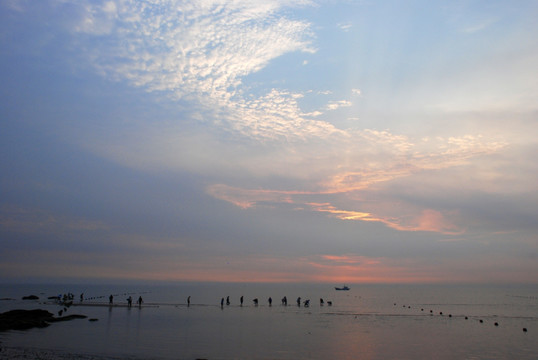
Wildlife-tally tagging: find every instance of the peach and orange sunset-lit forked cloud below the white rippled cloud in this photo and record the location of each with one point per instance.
(375, 158)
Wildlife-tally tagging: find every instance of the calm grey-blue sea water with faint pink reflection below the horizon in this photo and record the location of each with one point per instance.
(367, 322)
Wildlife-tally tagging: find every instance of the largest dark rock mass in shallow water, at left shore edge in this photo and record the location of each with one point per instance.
(27, 319)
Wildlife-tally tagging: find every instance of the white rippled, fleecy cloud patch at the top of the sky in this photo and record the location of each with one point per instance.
(201, 51)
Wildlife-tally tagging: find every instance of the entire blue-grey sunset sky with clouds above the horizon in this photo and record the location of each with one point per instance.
(269, 141)
